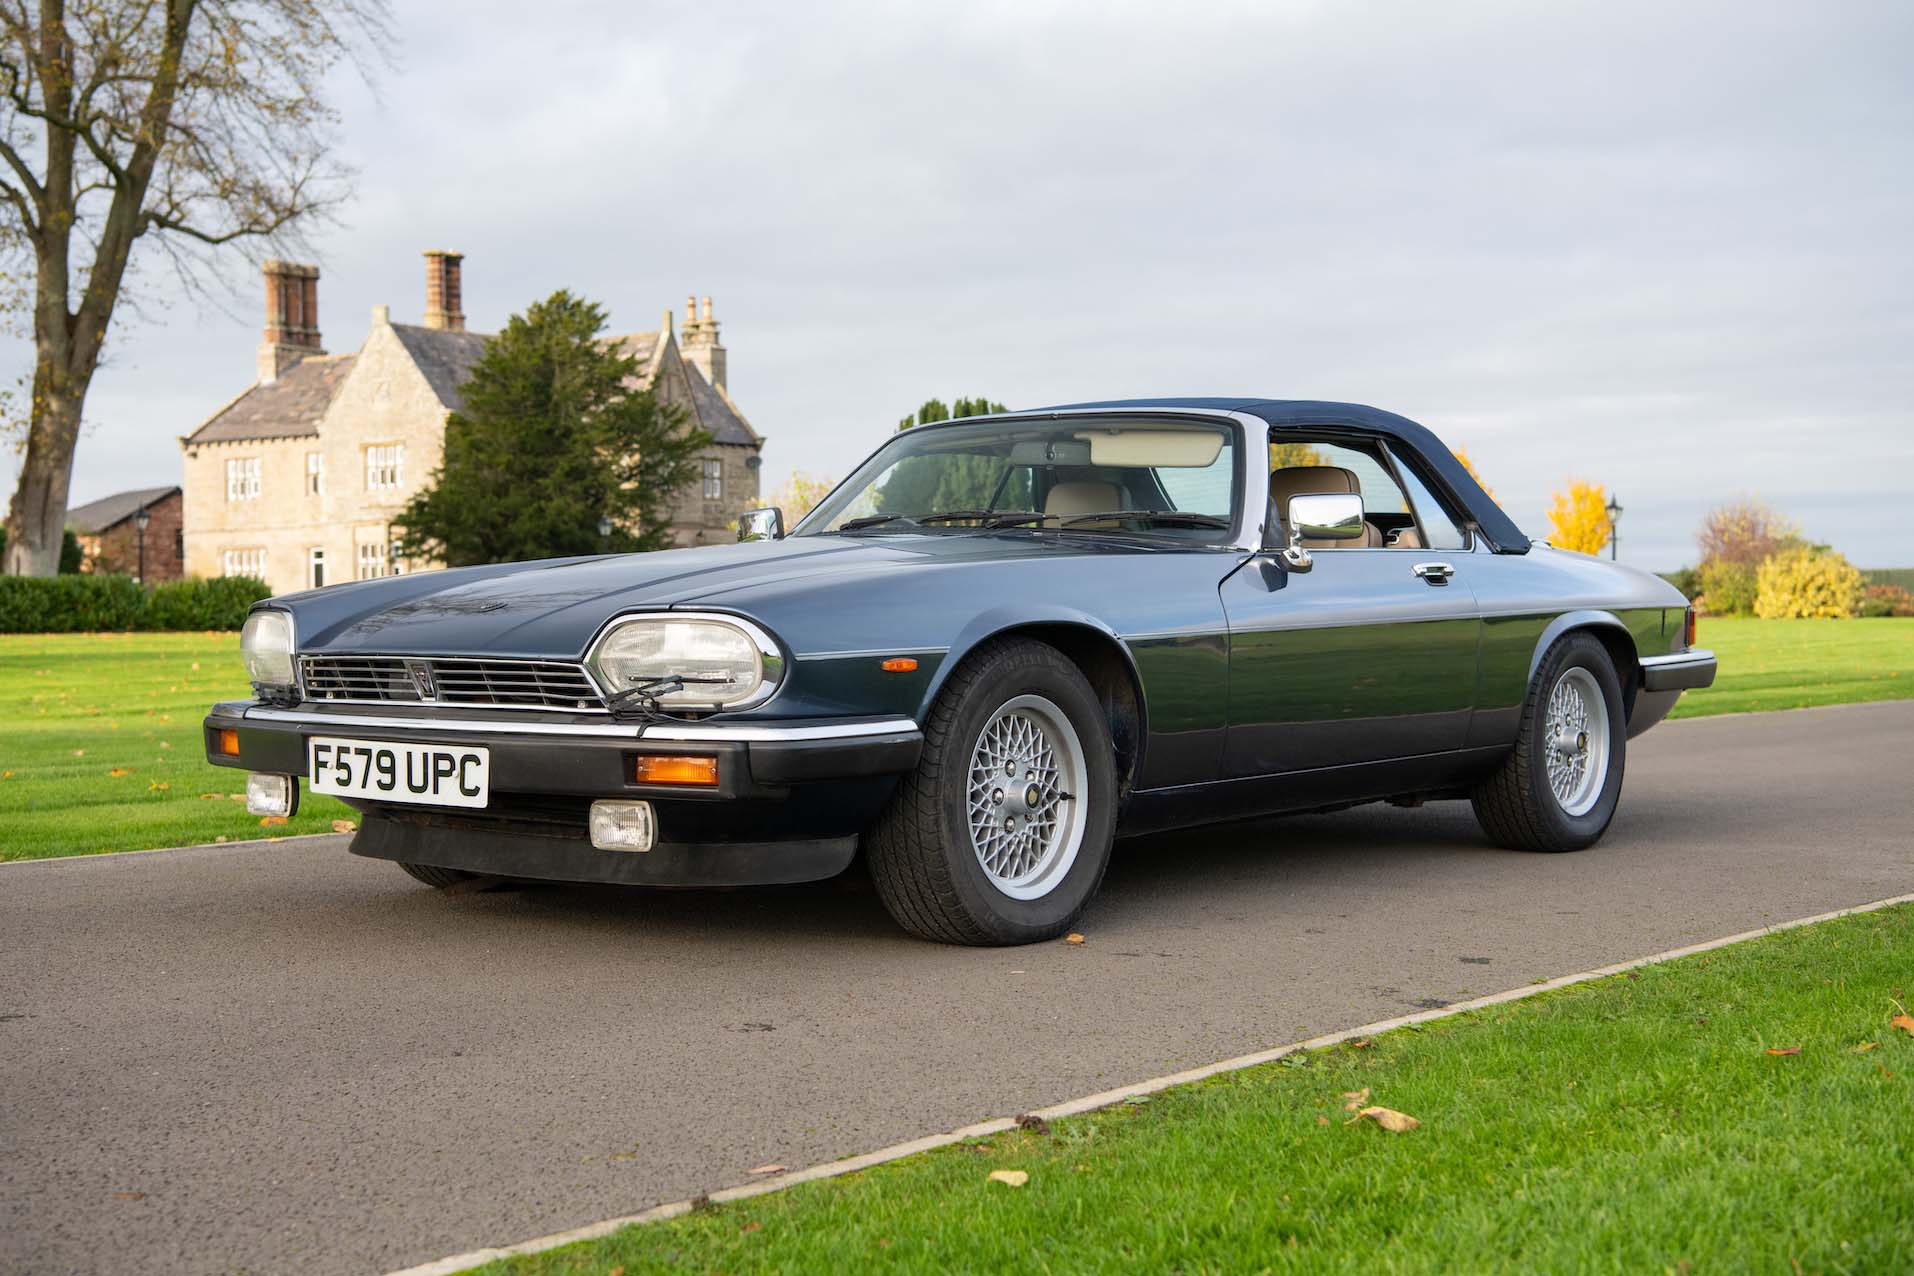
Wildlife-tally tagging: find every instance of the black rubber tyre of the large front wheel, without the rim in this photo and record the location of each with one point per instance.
(920, 850)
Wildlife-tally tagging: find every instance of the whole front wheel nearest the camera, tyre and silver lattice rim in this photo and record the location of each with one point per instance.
(1004, 829)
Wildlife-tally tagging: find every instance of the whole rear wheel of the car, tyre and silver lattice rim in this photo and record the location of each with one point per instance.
(1559, 787)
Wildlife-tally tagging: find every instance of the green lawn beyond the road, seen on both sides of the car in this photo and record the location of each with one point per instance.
(76, 709)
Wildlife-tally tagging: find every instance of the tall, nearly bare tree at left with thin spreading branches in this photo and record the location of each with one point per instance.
(185, 125)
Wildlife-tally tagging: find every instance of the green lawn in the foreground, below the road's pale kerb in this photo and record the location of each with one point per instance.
(1641, 1124)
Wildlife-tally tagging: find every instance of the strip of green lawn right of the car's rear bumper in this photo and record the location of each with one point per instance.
(1791, 665)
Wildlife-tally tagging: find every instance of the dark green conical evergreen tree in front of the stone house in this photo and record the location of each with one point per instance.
(552, 439)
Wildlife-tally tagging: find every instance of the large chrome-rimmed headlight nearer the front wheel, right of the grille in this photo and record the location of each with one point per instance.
(723, 663)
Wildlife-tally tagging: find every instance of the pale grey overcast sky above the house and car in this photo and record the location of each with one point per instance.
(1662, 246)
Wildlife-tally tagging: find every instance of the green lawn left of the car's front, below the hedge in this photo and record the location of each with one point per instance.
(100, 745)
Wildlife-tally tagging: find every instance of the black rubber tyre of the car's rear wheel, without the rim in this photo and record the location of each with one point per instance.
(1517, 806)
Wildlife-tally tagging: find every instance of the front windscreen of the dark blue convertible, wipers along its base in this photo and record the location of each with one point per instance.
(1159, 477)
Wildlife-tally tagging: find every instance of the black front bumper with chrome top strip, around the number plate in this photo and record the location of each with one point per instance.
(790, 804)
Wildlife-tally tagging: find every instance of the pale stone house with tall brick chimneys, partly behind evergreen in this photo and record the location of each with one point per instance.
(301, 475)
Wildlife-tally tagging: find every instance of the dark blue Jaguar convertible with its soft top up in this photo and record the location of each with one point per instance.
(998, 646)
